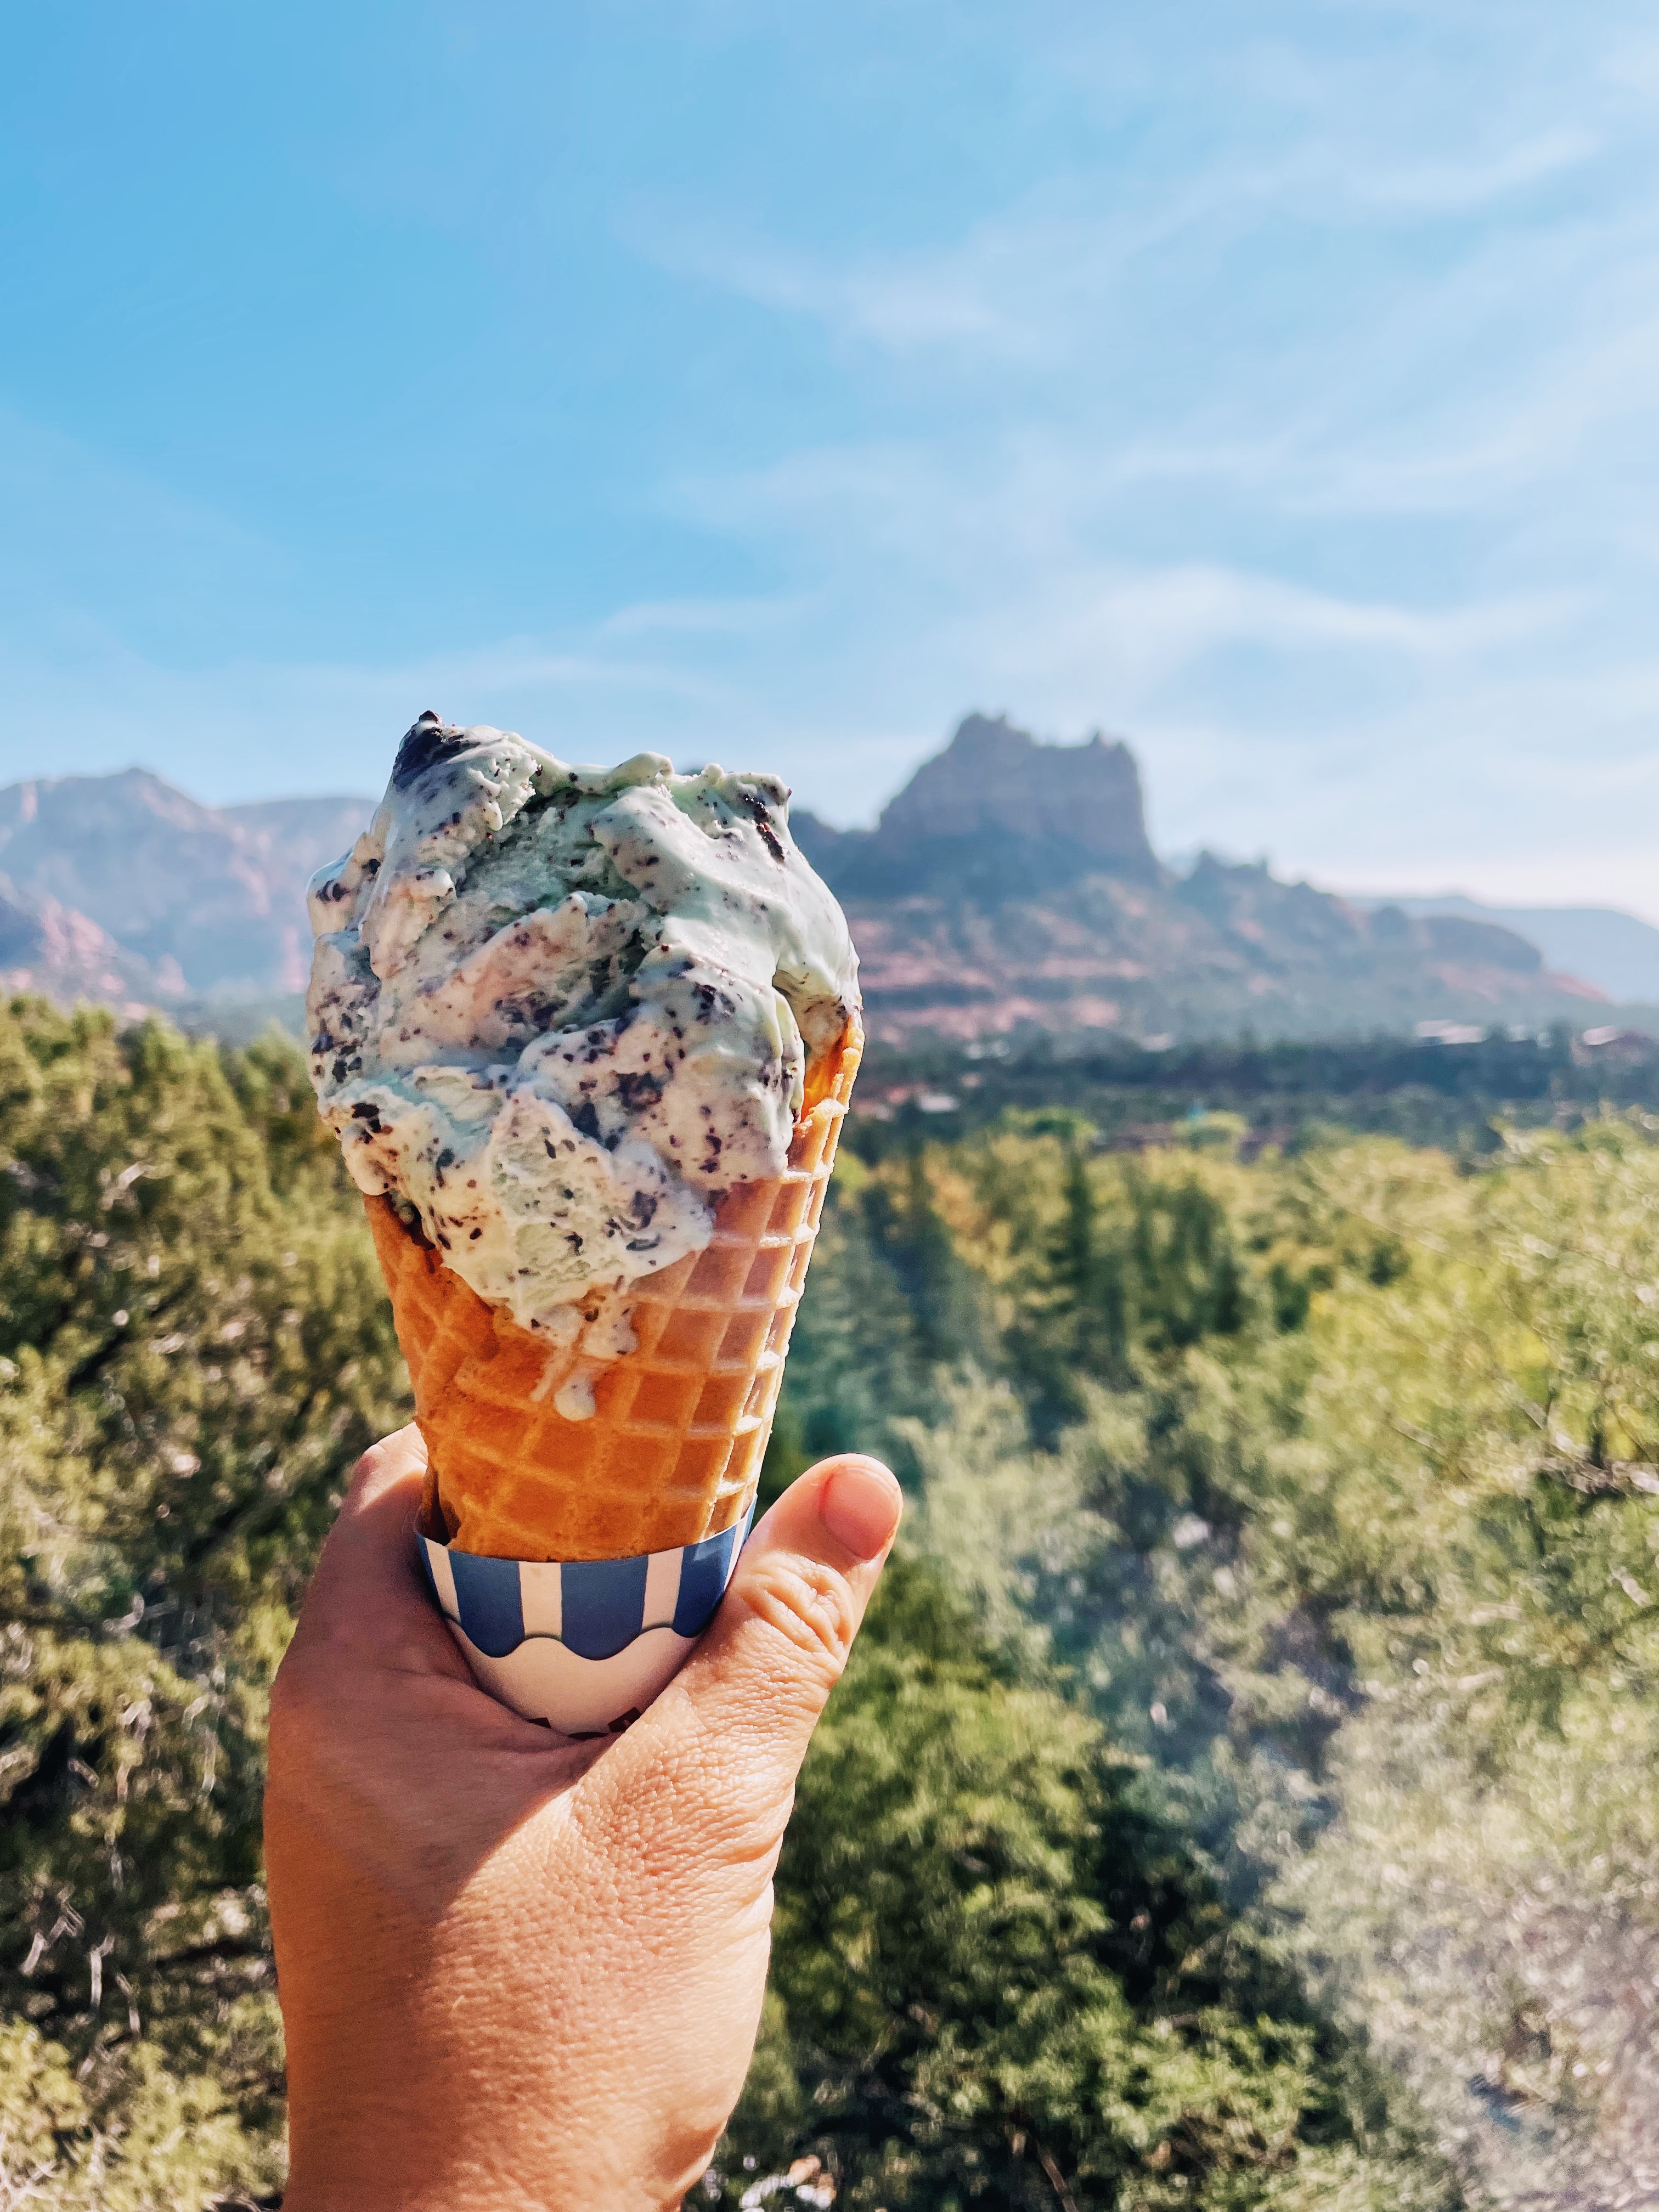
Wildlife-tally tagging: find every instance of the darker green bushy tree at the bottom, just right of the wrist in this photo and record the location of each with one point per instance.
(1001, 1981)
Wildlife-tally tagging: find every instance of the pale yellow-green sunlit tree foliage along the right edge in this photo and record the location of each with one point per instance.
(1377, 1598)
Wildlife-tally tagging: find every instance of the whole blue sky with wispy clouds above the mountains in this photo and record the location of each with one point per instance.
(1271, 384)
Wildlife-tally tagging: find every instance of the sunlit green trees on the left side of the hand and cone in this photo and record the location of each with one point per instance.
(194, 1350)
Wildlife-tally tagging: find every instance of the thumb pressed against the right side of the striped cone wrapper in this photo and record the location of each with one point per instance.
(733, 1729)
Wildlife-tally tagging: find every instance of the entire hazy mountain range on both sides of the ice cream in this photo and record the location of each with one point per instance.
(1008, 888)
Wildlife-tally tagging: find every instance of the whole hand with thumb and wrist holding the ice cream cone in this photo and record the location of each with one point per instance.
(517, 1974)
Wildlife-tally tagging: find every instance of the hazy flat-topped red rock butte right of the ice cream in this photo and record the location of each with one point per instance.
(1012, 886)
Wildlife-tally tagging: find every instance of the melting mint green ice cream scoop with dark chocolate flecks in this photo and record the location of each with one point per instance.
(561, 1010)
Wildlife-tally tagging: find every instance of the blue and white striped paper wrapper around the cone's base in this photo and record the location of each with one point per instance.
(585, 1645)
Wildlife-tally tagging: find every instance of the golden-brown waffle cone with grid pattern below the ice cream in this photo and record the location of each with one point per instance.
(674, 1448)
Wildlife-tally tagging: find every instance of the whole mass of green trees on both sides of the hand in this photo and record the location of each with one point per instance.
(1273, 1684)
